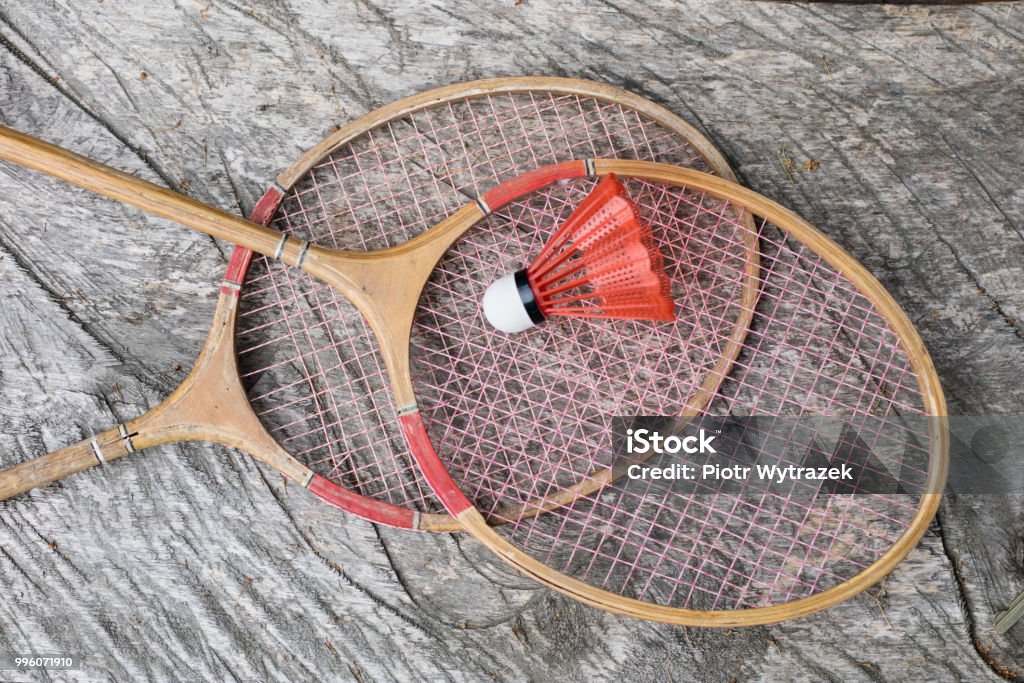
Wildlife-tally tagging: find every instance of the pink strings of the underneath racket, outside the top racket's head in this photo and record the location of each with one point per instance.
(309, 360)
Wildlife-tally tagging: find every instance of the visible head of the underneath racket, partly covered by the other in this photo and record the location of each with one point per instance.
(308, 358)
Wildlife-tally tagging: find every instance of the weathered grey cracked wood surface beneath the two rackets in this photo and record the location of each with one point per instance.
(197, 564)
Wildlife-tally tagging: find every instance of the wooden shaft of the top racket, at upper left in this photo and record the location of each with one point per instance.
(52, 160)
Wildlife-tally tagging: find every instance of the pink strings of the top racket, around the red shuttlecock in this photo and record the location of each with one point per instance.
(521, 418)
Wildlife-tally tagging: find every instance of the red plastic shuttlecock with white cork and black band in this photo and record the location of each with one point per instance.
(603, 263)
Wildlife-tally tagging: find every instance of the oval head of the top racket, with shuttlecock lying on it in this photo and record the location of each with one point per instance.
(826, 338)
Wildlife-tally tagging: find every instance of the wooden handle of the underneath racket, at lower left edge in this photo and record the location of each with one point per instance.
(50, 468)
